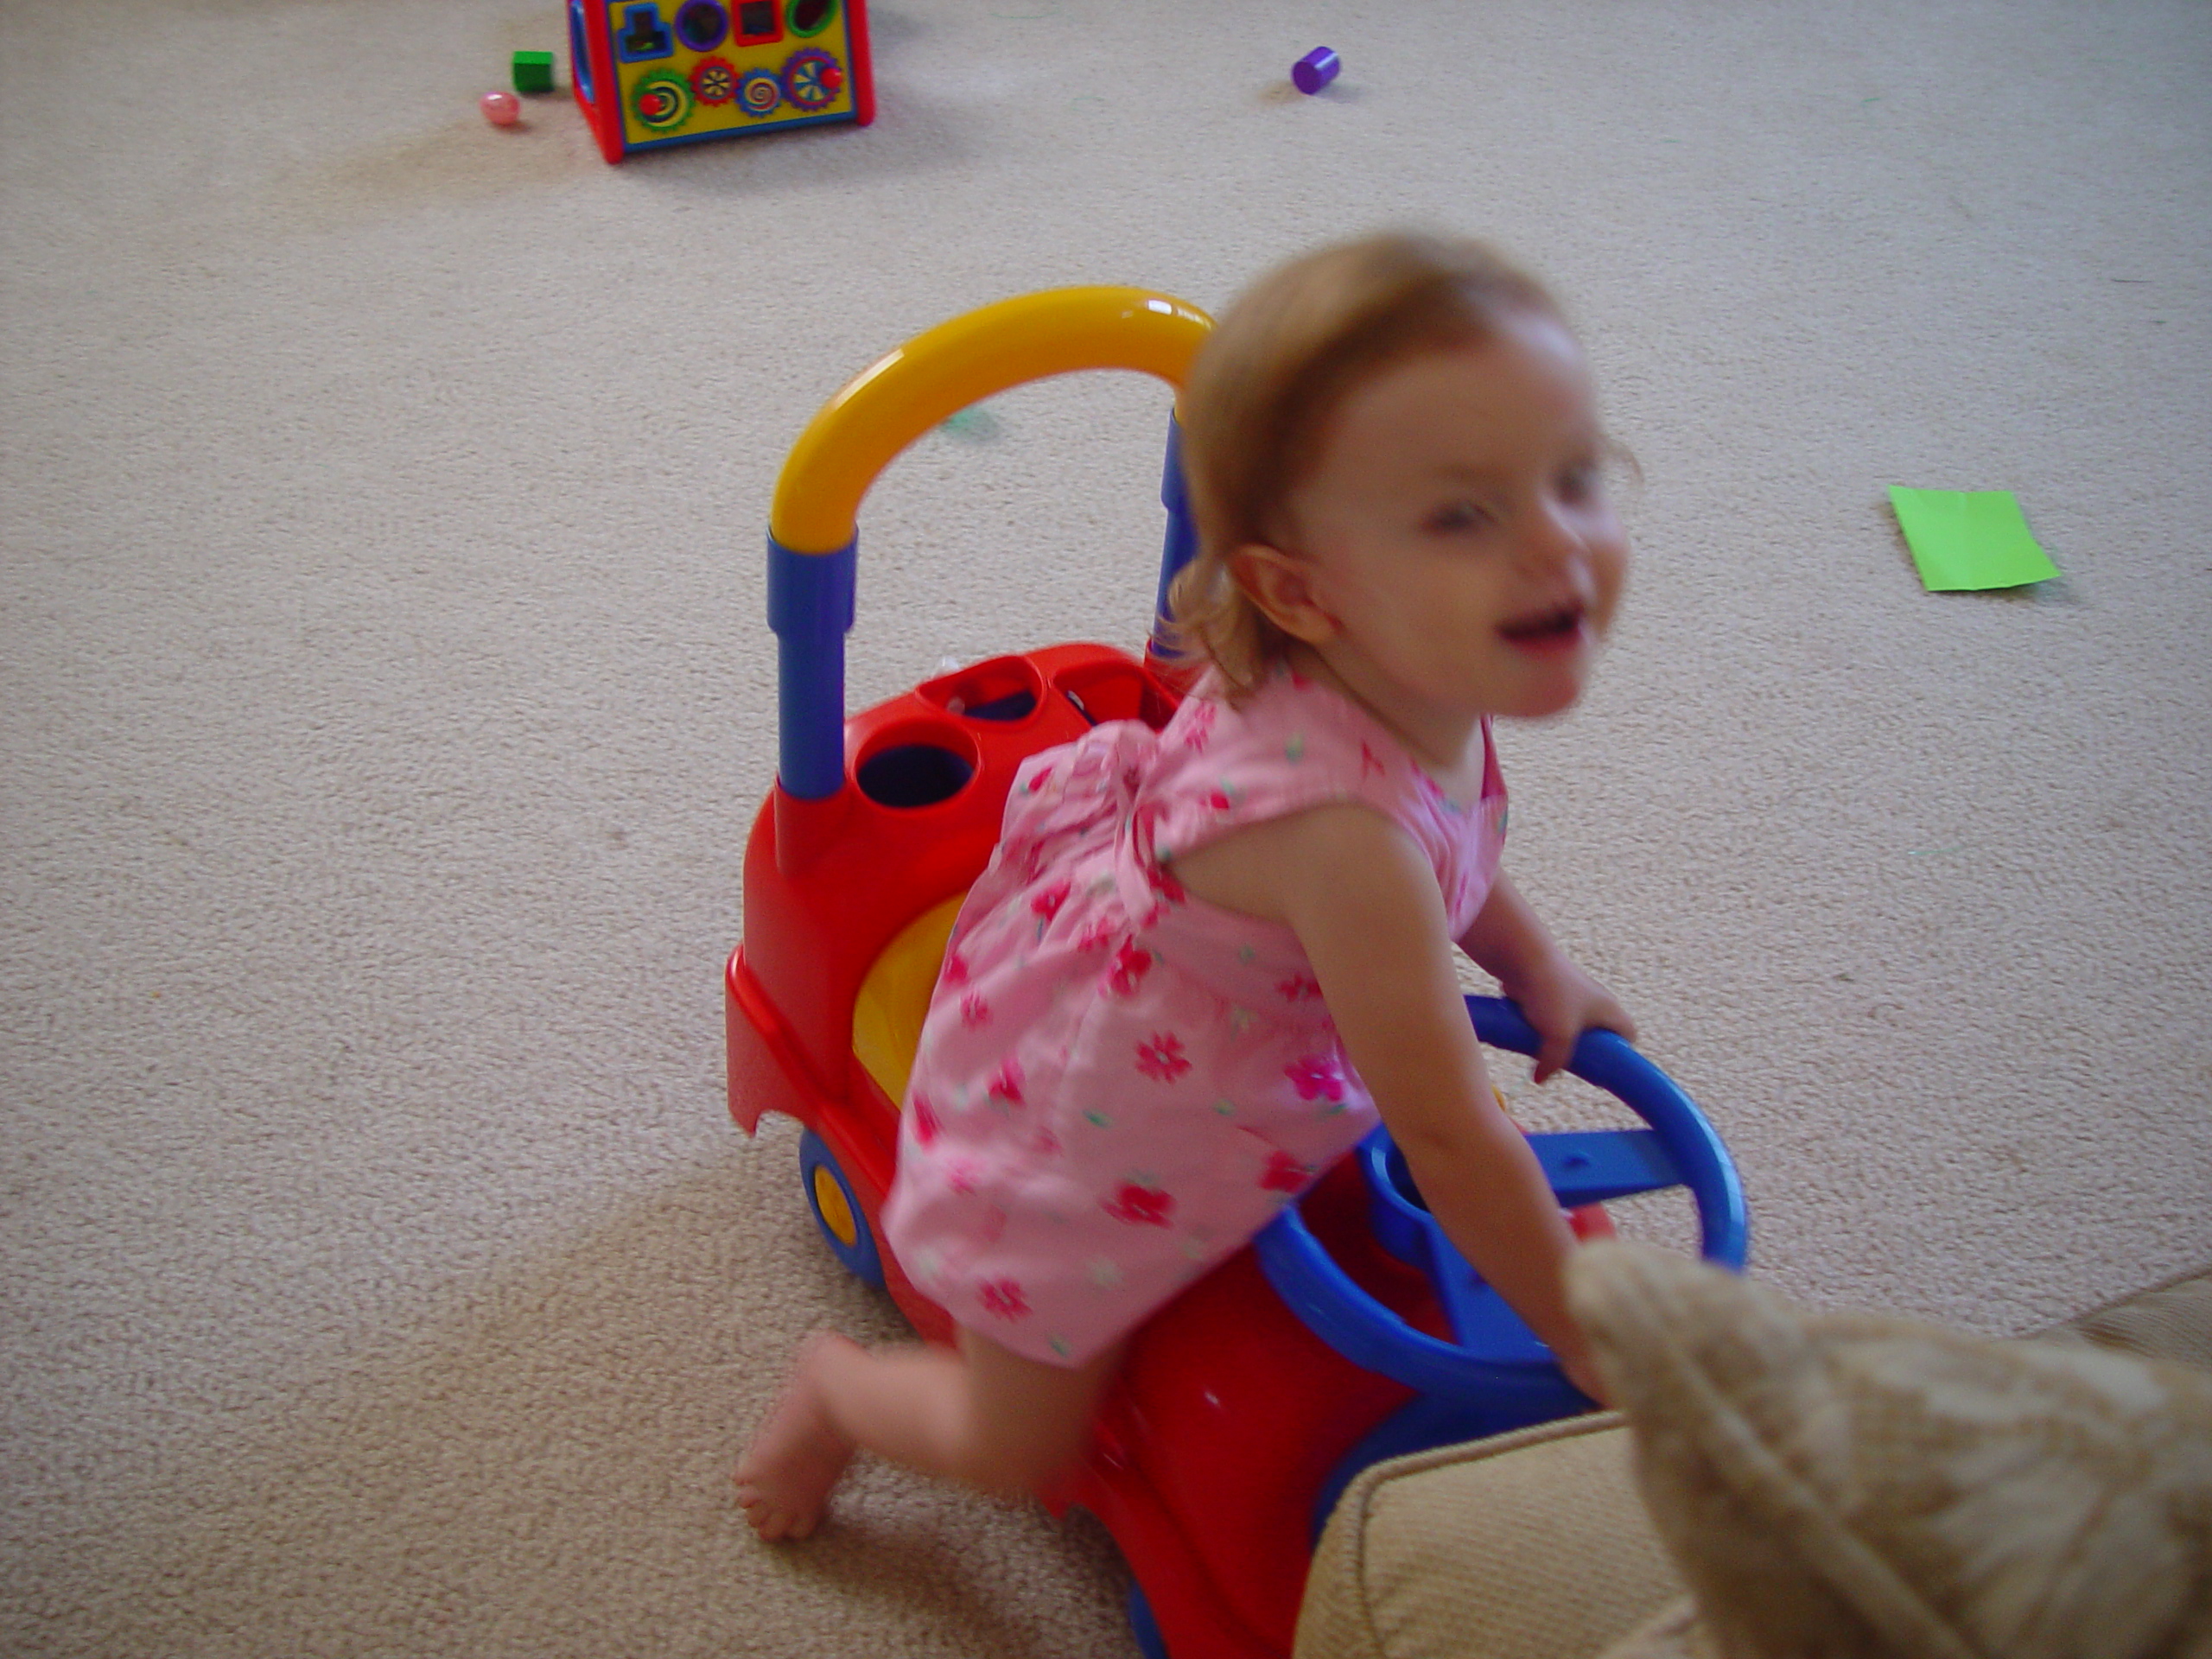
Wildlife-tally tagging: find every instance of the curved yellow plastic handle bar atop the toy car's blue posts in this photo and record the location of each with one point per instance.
(941, 373)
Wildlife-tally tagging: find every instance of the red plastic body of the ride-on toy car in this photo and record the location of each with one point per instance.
(1231, 1415)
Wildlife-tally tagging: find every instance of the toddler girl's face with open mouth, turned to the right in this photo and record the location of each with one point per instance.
(1457, 530)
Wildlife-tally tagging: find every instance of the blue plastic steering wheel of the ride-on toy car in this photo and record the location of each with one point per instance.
(1496, 1359)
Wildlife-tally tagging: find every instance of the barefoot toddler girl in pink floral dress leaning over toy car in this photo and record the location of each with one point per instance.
(1204, 961)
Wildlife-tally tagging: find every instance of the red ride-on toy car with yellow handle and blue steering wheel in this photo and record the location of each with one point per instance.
(1348, 1331)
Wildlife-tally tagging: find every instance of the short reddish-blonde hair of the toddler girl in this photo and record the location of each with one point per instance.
(1273, 375)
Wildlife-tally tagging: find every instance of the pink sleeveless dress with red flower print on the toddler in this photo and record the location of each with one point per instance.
(1118, 1085)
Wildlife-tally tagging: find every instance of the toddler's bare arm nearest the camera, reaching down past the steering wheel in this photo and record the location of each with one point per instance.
(1366, 908)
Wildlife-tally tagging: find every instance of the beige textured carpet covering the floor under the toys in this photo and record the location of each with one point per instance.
(386, 693)
